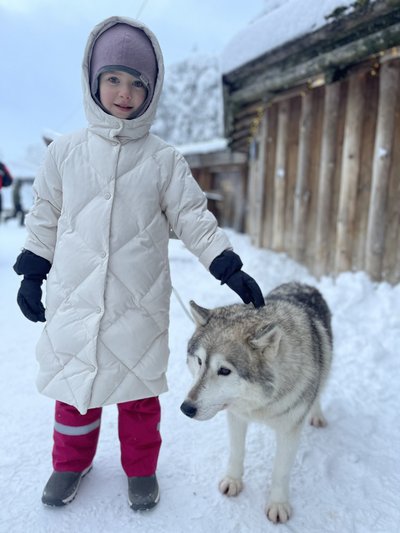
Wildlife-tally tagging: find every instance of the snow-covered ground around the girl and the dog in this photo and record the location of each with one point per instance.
(346, 478)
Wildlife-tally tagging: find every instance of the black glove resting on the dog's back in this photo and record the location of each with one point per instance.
(227, 268)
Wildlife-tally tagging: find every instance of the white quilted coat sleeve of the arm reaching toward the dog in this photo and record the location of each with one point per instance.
(185, 206)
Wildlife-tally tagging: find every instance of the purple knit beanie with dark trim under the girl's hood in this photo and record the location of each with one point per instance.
(124, 47)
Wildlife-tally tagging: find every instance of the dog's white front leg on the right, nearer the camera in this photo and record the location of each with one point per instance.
(278, 508)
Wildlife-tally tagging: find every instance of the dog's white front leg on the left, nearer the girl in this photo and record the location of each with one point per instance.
(232, 483)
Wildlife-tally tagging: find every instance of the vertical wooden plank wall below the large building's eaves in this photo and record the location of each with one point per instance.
(326, 167)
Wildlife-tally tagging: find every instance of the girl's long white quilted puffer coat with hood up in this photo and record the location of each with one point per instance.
(105, 199)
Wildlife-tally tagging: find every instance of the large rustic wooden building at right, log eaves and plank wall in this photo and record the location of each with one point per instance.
(319, 121)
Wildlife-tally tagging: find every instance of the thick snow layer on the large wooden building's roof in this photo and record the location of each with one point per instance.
(284, 21)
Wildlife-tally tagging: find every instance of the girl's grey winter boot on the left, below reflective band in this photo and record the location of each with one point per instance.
(62, 487)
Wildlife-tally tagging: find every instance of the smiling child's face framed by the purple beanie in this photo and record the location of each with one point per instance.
(121, 94)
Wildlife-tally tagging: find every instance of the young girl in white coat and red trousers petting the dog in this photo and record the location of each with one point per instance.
(105, 199)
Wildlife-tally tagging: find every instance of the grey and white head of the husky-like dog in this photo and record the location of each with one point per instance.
(228, 355)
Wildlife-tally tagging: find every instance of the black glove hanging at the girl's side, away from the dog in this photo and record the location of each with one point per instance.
(29, 298)
